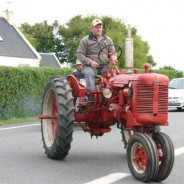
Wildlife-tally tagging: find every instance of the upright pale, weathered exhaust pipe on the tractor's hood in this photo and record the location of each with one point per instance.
(129, 53)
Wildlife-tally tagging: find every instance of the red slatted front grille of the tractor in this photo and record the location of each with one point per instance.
(147, 98)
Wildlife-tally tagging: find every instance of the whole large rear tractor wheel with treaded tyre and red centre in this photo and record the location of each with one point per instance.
(57, 118)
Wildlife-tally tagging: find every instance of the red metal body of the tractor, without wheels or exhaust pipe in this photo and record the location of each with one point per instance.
(137, 100)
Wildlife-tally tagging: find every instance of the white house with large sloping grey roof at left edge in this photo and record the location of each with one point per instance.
(15, 49)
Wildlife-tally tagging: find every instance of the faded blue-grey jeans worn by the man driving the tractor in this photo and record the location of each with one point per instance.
(90, 74)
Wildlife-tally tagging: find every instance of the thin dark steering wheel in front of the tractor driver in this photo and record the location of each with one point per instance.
(104, 51)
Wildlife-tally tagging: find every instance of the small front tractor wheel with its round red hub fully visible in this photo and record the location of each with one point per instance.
(142, 157)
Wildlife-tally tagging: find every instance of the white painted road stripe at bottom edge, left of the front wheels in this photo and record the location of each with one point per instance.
(109, 178)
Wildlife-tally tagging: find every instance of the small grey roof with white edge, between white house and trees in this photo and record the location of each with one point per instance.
(49, 60)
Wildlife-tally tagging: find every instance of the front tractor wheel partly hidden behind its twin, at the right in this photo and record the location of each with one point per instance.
(166, 155)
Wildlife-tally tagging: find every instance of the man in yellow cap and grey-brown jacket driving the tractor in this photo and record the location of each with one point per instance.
(88, 50)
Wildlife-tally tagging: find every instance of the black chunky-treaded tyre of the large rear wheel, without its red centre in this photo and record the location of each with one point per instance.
(64, 132)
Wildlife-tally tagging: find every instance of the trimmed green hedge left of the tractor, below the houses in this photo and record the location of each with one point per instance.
(21, 90)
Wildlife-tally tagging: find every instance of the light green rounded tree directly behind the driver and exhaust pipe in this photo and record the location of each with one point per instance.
(78, 27)
